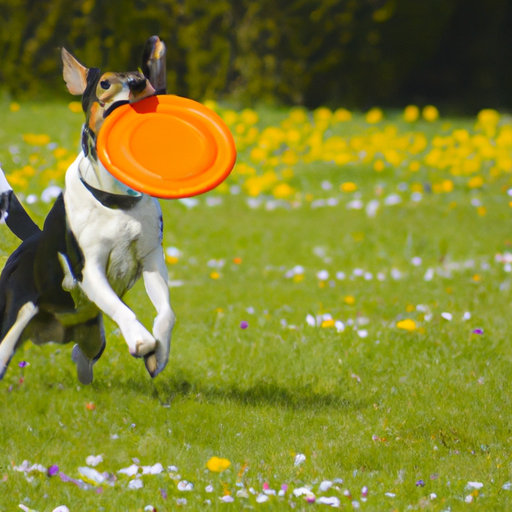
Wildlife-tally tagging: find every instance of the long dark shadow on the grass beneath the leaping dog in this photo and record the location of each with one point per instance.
(259, 393)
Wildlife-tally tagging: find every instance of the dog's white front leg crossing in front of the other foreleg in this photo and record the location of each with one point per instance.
(97, 288)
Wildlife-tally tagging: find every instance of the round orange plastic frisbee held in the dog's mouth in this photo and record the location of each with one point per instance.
(166, 146)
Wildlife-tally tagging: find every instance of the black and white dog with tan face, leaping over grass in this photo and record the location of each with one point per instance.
(97, 240)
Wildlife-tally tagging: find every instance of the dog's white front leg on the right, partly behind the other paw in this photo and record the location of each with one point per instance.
(155, 277)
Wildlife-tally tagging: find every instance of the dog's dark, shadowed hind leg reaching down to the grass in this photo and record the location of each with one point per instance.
(90, 344)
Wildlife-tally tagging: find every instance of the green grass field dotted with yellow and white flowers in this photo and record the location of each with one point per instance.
(371, 257)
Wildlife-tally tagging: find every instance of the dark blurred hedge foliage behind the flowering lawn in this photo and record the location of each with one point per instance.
(295, 51)
